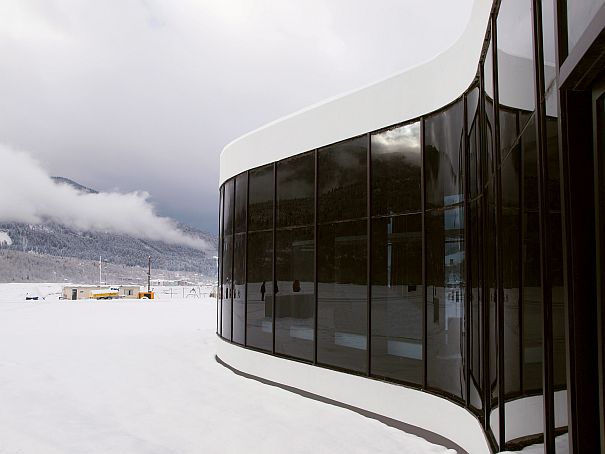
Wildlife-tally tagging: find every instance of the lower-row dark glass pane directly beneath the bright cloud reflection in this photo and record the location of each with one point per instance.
(397, 303)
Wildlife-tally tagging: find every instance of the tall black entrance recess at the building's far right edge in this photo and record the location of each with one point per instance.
(582, 153)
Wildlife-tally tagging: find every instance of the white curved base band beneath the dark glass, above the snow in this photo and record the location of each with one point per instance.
(413, 407)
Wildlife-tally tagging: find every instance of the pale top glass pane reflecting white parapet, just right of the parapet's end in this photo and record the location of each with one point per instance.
(515, 55)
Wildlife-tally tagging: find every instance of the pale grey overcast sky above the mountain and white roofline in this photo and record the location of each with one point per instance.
(142, 95)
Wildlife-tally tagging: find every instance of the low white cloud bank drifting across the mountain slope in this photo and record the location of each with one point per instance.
(29, 195)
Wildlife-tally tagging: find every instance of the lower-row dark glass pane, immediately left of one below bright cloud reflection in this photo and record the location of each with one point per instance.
(342, 295)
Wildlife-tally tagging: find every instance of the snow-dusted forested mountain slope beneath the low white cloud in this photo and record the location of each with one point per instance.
(57, 240)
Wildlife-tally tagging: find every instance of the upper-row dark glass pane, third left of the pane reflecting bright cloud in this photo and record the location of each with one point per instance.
(260, 198)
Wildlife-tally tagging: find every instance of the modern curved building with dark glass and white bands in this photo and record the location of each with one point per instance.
(430, 249)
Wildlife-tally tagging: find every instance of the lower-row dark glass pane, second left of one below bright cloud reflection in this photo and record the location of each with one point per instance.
(295, 294)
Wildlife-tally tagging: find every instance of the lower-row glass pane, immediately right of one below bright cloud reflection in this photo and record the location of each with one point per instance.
(445, 300)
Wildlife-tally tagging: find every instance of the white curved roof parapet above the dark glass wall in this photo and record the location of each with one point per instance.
(407, 95)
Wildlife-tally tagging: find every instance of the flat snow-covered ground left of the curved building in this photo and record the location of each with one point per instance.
(135, 376)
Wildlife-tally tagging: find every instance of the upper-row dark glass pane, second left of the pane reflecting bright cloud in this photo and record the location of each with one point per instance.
(295, 203)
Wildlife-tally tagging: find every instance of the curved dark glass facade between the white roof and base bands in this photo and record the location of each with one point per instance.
(428, 253)
